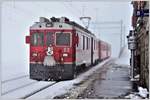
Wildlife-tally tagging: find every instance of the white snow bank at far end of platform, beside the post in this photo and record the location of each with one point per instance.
(124, 58)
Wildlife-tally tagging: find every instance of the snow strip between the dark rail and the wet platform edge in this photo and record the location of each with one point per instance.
(64, 86)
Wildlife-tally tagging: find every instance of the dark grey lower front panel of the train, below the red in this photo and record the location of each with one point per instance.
(53, 73)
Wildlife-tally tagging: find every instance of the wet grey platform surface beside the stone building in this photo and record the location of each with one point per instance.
(112, 83)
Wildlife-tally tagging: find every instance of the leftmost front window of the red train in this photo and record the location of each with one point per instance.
(37, 39)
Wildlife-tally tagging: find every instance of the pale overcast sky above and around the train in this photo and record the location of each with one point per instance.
(17, 17)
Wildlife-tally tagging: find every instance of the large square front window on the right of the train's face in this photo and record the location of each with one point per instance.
(63, 39)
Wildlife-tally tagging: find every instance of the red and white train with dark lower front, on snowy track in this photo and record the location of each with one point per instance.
(58, 46)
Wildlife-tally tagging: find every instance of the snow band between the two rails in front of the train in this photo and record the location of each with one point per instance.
(26, 91)
